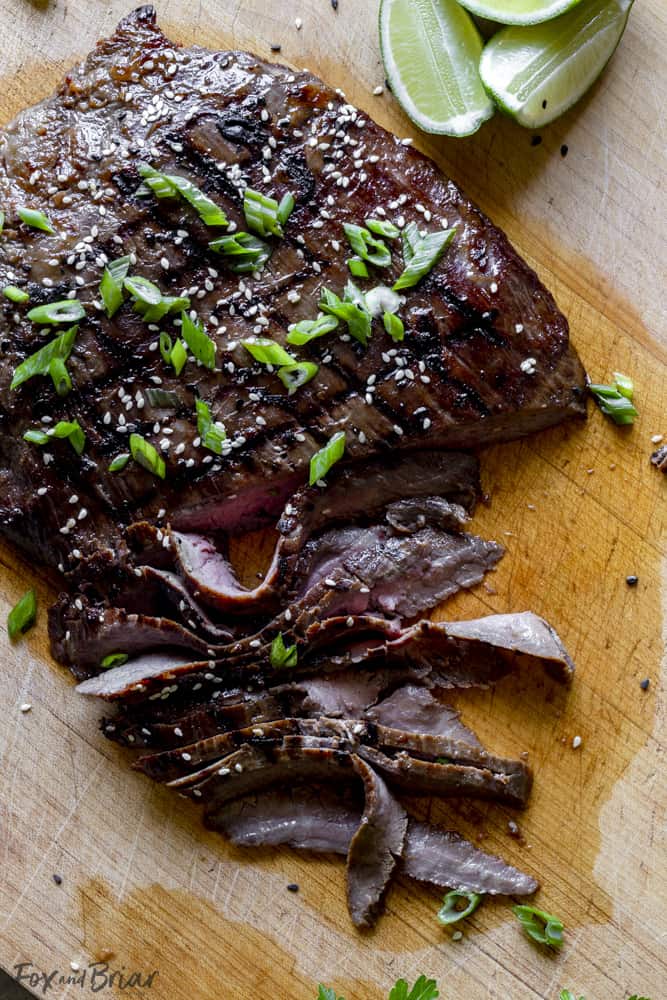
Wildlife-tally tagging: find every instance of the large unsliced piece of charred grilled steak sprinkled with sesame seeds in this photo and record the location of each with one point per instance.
(486, 354)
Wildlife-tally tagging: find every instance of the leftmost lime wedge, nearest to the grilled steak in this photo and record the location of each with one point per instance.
(431, 51)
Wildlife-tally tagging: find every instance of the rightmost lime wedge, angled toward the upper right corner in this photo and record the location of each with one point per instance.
(536, 73)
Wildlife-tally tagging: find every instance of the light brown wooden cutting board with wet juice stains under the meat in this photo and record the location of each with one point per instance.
(579, 508)
